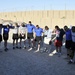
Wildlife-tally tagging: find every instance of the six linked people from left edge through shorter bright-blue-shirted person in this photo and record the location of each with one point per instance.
(22, 32)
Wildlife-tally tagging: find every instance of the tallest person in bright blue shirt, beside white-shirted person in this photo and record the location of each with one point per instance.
(30, 27)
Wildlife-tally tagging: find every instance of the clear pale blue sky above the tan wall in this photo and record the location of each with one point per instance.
(27, 5)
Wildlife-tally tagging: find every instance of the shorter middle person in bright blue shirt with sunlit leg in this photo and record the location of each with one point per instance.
(38, 35)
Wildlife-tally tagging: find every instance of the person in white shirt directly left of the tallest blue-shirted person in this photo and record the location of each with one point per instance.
(22, 34)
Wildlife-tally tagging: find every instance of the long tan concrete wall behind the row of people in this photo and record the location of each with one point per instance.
(42, 17)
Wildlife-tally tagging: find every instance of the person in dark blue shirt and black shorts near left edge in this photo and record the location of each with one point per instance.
(6, 29)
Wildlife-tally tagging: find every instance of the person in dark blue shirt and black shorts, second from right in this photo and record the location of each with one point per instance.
(68, 40)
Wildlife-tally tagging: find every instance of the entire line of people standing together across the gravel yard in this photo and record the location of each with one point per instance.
(35, 34)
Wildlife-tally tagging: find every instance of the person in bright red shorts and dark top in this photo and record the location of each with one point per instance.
(59, 38)
